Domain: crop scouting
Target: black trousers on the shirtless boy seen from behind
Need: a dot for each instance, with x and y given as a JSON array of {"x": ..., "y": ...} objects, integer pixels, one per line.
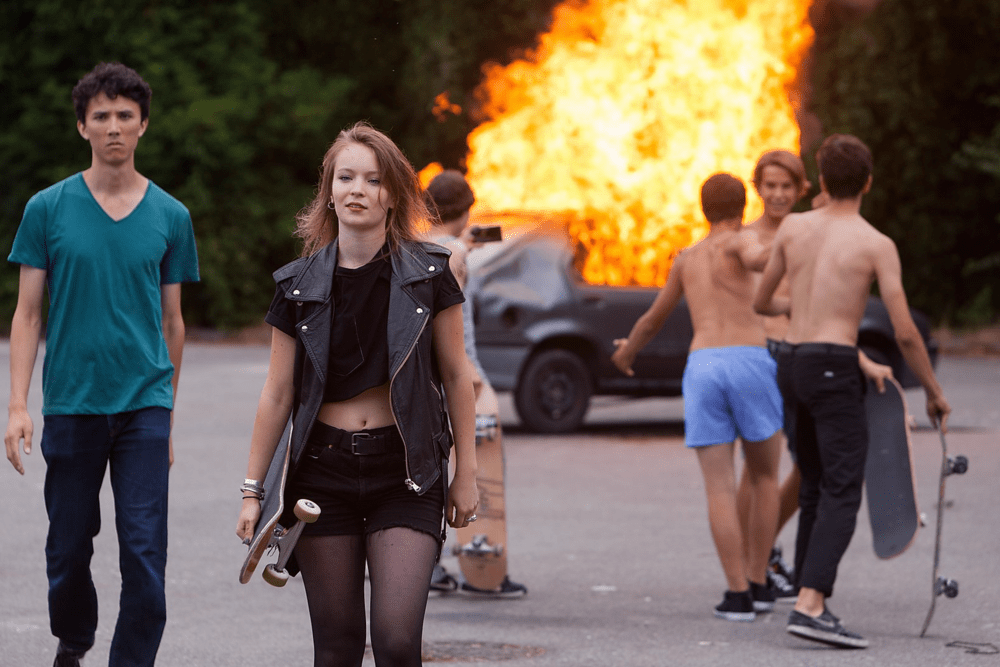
[{"x": 823, "y": 389}]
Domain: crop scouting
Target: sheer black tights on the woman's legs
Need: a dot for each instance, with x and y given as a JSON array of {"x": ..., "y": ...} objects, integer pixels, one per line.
[{"x": 400, "y": 561}]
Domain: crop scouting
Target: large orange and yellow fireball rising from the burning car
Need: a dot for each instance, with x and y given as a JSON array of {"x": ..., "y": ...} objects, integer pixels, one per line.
[{"x": 623, "y": 111}]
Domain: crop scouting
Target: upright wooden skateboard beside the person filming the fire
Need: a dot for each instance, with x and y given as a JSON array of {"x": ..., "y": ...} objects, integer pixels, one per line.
[{"x": 482, "y": 546}]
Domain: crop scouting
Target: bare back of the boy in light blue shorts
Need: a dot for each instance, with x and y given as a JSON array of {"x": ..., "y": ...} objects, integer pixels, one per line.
[{"x": 719, "y": 293}]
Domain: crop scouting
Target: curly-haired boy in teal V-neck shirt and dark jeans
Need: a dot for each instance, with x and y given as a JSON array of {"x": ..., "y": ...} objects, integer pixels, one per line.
[{"x": 113, "y": 249}]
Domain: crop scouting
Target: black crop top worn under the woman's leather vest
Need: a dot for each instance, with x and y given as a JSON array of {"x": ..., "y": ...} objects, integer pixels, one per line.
[{"x": 359, "y": 347}]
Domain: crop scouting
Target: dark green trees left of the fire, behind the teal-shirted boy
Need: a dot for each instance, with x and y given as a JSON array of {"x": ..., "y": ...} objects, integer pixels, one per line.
[{"x": 247, "y": 96}]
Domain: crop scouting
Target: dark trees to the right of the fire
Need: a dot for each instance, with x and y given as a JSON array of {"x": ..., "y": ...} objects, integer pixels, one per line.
[{"x": 918, "y": 82}]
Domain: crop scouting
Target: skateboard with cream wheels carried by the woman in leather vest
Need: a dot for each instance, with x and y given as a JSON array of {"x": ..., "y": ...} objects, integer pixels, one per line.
[{"x": 269, "y": 534}]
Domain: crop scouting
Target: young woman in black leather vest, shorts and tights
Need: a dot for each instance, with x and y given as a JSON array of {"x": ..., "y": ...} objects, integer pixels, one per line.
[{"x": 367, "y": 359}]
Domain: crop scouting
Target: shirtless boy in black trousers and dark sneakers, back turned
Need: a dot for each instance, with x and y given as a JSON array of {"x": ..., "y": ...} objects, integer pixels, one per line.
[{"x": 831, "y": 256}]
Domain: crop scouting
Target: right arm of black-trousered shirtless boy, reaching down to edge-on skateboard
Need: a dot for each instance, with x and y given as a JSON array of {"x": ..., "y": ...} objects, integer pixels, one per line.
[{"x": 888, "y": 272}]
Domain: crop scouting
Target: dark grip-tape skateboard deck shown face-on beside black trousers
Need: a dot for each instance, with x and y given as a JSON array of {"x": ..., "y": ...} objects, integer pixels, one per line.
[{"x": 889, "y": 480}]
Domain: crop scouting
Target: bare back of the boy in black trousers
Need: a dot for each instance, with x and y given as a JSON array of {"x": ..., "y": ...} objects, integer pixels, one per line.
[{"x": 830, "y": 262}]
